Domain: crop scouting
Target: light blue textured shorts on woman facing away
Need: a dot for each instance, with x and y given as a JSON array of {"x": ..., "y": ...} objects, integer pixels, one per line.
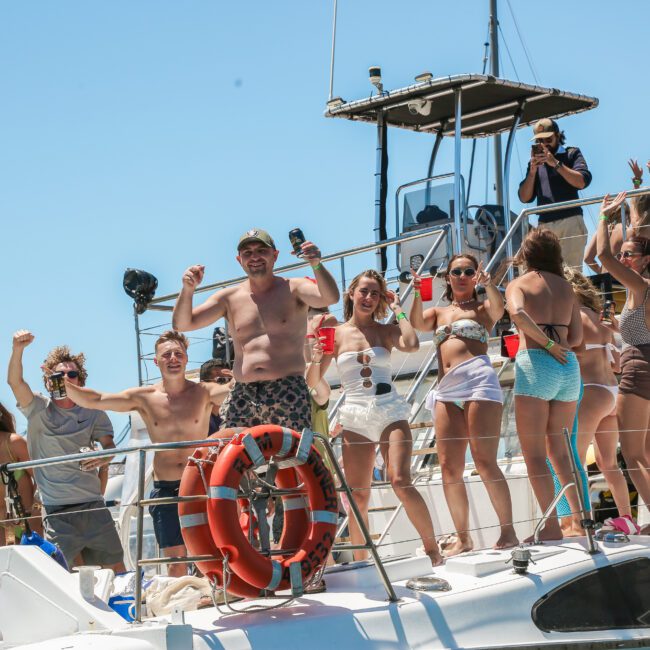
[{"x": 538, "y": 374}]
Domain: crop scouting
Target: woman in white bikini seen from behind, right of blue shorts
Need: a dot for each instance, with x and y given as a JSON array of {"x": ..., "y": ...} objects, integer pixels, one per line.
[{"x": 597, "y": 413}]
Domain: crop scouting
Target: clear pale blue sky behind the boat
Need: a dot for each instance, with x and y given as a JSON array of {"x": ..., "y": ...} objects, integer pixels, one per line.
[{"x": 151, "y": 134}]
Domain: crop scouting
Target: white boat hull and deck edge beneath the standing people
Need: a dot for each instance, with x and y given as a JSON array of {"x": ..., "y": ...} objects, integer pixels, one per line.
[{"x": 488, "y": 606}]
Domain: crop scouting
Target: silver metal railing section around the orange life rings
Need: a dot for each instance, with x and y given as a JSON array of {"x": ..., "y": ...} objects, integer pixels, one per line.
[{"x": 143, "y": 502}]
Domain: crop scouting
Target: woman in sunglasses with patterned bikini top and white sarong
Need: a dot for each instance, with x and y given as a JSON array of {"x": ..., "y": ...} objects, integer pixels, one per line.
[{"x": 467, "y": 402}]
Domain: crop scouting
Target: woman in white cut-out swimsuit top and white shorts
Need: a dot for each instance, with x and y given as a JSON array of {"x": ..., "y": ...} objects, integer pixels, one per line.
[{"x": 373, "y": 412}]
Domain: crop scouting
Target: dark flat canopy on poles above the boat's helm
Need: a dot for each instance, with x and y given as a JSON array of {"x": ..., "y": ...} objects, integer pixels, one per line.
[{"x": 489, "y": 105}]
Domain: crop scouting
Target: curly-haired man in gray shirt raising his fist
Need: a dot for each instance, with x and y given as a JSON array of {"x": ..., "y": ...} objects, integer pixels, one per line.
[{"x": 77, "y": 519}]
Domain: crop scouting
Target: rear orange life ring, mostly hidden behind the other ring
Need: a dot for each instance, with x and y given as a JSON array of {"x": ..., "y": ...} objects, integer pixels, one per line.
[{"x": 194, "y": 522}]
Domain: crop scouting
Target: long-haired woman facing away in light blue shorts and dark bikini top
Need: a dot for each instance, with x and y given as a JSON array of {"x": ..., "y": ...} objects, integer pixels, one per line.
[{"x": 547, "y": 375}]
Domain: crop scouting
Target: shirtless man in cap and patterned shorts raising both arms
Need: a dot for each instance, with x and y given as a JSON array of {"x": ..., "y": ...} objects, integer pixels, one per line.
[{"x": 267, "y": 318}]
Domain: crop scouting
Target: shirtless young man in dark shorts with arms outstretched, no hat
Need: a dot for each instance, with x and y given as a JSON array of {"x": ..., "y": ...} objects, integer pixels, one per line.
[{"x": 175, "y": 409}]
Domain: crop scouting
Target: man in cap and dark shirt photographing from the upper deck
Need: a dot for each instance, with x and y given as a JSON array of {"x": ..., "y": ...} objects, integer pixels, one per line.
[{"x": 555, "y": 174}]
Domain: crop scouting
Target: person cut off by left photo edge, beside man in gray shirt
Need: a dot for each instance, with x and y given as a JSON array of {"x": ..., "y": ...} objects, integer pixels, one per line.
[{"x": 13, "y": 449}]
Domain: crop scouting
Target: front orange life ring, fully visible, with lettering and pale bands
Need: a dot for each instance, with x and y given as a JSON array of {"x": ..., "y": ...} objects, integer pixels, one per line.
[{"x": 251, "y": 449}]
